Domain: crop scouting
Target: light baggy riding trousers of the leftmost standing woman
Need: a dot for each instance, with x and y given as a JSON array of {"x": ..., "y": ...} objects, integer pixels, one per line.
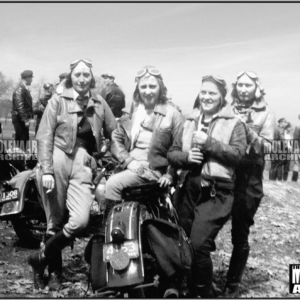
[{"x": 72, "y": 192}]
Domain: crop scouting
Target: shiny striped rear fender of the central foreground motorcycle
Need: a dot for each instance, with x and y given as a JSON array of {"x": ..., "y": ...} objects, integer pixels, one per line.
[{"x": 130, "y": 215}]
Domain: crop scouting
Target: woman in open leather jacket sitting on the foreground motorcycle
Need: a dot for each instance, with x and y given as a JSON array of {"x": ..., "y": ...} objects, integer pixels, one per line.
[{"x": 141, "y": 141}]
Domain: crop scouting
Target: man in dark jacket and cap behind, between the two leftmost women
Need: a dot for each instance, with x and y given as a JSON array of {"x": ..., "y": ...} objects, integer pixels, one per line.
[{"x": 113, "y": 95}]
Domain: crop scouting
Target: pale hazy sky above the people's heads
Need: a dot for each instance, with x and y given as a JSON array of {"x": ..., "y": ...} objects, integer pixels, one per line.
[{"x": 185, "y": 41}]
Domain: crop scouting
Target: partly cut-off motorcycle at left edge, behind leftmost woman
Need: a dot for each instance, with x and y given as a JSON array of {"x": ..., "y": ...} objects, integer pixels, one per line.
[{"x": 18, "y": 188}]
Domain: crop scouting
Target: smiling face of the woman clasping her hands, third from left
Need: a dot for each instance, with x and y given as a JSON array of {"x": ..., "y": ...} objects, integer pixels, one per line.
[{"x": 210, "y": 98}]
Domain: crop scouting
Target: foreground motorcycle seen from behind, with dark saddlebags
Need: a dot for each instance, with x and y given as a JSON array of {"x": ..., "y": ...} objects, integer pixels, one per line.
[{"x": 126, "y": 265}]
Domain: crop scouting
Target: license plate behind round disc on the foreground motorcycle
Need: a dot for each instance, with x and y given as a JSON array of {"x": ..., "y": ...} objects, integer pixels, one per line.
[{"x": 131, "y": 248}]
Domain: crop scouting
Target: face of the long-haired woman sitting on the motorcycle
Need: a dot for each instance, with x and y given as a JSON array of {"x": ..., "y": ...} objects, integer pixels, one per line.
[{"x": 149, "y": 90}]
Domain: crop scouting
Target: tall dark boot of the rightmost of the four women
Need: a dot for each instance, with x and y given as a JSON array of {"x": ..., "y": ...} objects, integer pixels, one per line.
[{"x": 237, "y": 266}]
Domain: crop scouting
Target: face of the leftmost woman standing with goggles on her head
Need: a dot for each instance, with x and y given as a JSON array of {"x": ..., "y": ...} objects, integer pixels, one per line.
[{"x": 81, "y": 78}]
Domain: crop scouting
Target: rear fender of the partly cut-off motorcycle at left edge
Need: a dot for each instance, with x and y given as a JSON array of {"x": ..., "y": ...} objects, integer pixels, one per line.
[{"x": 16, "y": 206}]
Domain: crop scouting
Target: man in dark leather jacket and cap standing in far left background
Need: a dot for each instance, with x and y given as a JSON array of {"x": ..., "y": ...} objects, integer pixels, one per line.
[{"x": 22, "y": 110}]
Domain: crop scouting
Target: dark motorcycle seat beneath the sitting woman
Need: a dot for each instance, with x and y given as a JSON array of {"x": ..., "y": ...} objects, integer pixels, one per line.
[{"x": 143, "y": 190}]
